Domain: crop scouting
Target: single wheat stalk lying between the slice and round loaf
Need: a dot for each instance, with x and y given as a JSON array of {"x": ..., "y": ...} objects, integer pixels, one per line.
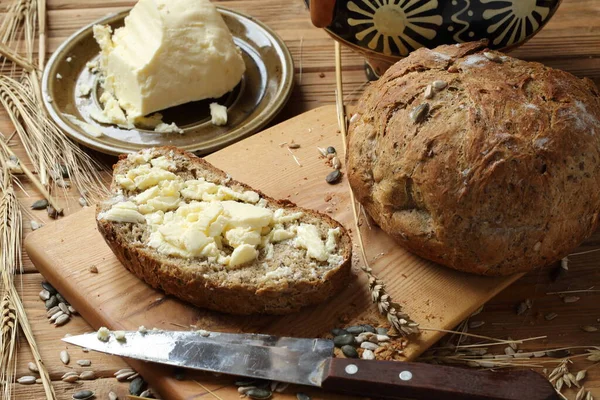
[{"x": 398, "y": 319}]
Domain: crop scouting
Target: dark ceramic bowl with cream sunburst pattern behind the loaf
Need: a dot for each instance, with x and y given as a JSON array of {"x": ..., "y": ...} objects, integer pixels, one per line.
[{"x": 387, "y": 30}]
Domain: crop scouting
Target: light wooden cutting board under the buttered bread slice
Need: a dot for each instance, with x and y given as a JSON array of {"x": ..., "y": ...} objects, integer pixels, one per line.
[{"x": 436, "y": 297}]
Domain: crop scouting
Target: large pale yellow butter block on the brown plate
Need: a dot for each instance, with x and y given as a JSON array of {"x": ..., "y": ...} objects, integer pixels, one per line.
[{"x": 168, "y": 53}]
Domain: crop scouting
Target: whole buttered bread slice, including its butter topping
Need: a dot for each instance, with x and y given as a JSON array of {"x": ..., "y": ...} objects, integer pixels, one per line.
[{"x": 187, "y": 228}]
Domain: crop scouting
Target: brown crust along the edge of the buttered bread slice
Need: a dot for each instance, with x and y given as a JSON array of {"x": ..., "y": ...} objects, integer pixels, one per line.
[{"x": 167, "y": 274}]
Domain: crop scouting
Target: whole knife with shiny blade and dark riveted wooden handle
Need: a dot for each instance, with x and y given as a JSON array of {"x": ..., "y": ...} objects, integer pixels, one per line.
[{"x": 311, "y": 362}]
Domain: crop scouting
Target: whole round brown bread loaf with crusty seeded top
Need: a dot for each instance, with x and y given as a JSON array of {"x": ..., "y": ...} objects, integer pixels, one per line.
[{"x": 478, "y": 161}]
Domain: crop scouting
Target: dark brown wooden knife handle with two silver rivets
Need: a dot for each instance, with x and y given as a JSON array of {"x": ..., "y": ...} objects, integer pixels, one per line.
[{"x": 395, "y": 380}]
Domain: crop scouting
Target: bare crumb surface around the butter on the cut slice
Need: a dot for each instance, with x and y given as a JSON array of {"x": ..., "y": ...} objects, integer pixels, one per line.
[{"x": 287, "y": 261}]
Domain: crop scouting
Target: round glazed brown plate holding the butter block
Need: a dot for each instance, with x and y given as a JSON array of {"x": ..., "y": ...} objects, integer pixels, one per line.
[{"x": 263, "y": 91}]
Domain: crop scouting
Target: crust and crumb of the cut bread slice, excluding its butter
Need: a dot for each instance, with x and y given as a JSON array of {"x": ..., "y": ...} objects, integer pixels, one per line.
[{"x": 278, "y": 283}]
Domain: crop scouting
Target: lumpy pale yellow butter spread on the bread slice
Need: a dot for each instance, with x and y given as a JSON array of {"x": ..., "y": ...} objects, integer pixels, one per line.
[{"x": 195, "y": 218}]
